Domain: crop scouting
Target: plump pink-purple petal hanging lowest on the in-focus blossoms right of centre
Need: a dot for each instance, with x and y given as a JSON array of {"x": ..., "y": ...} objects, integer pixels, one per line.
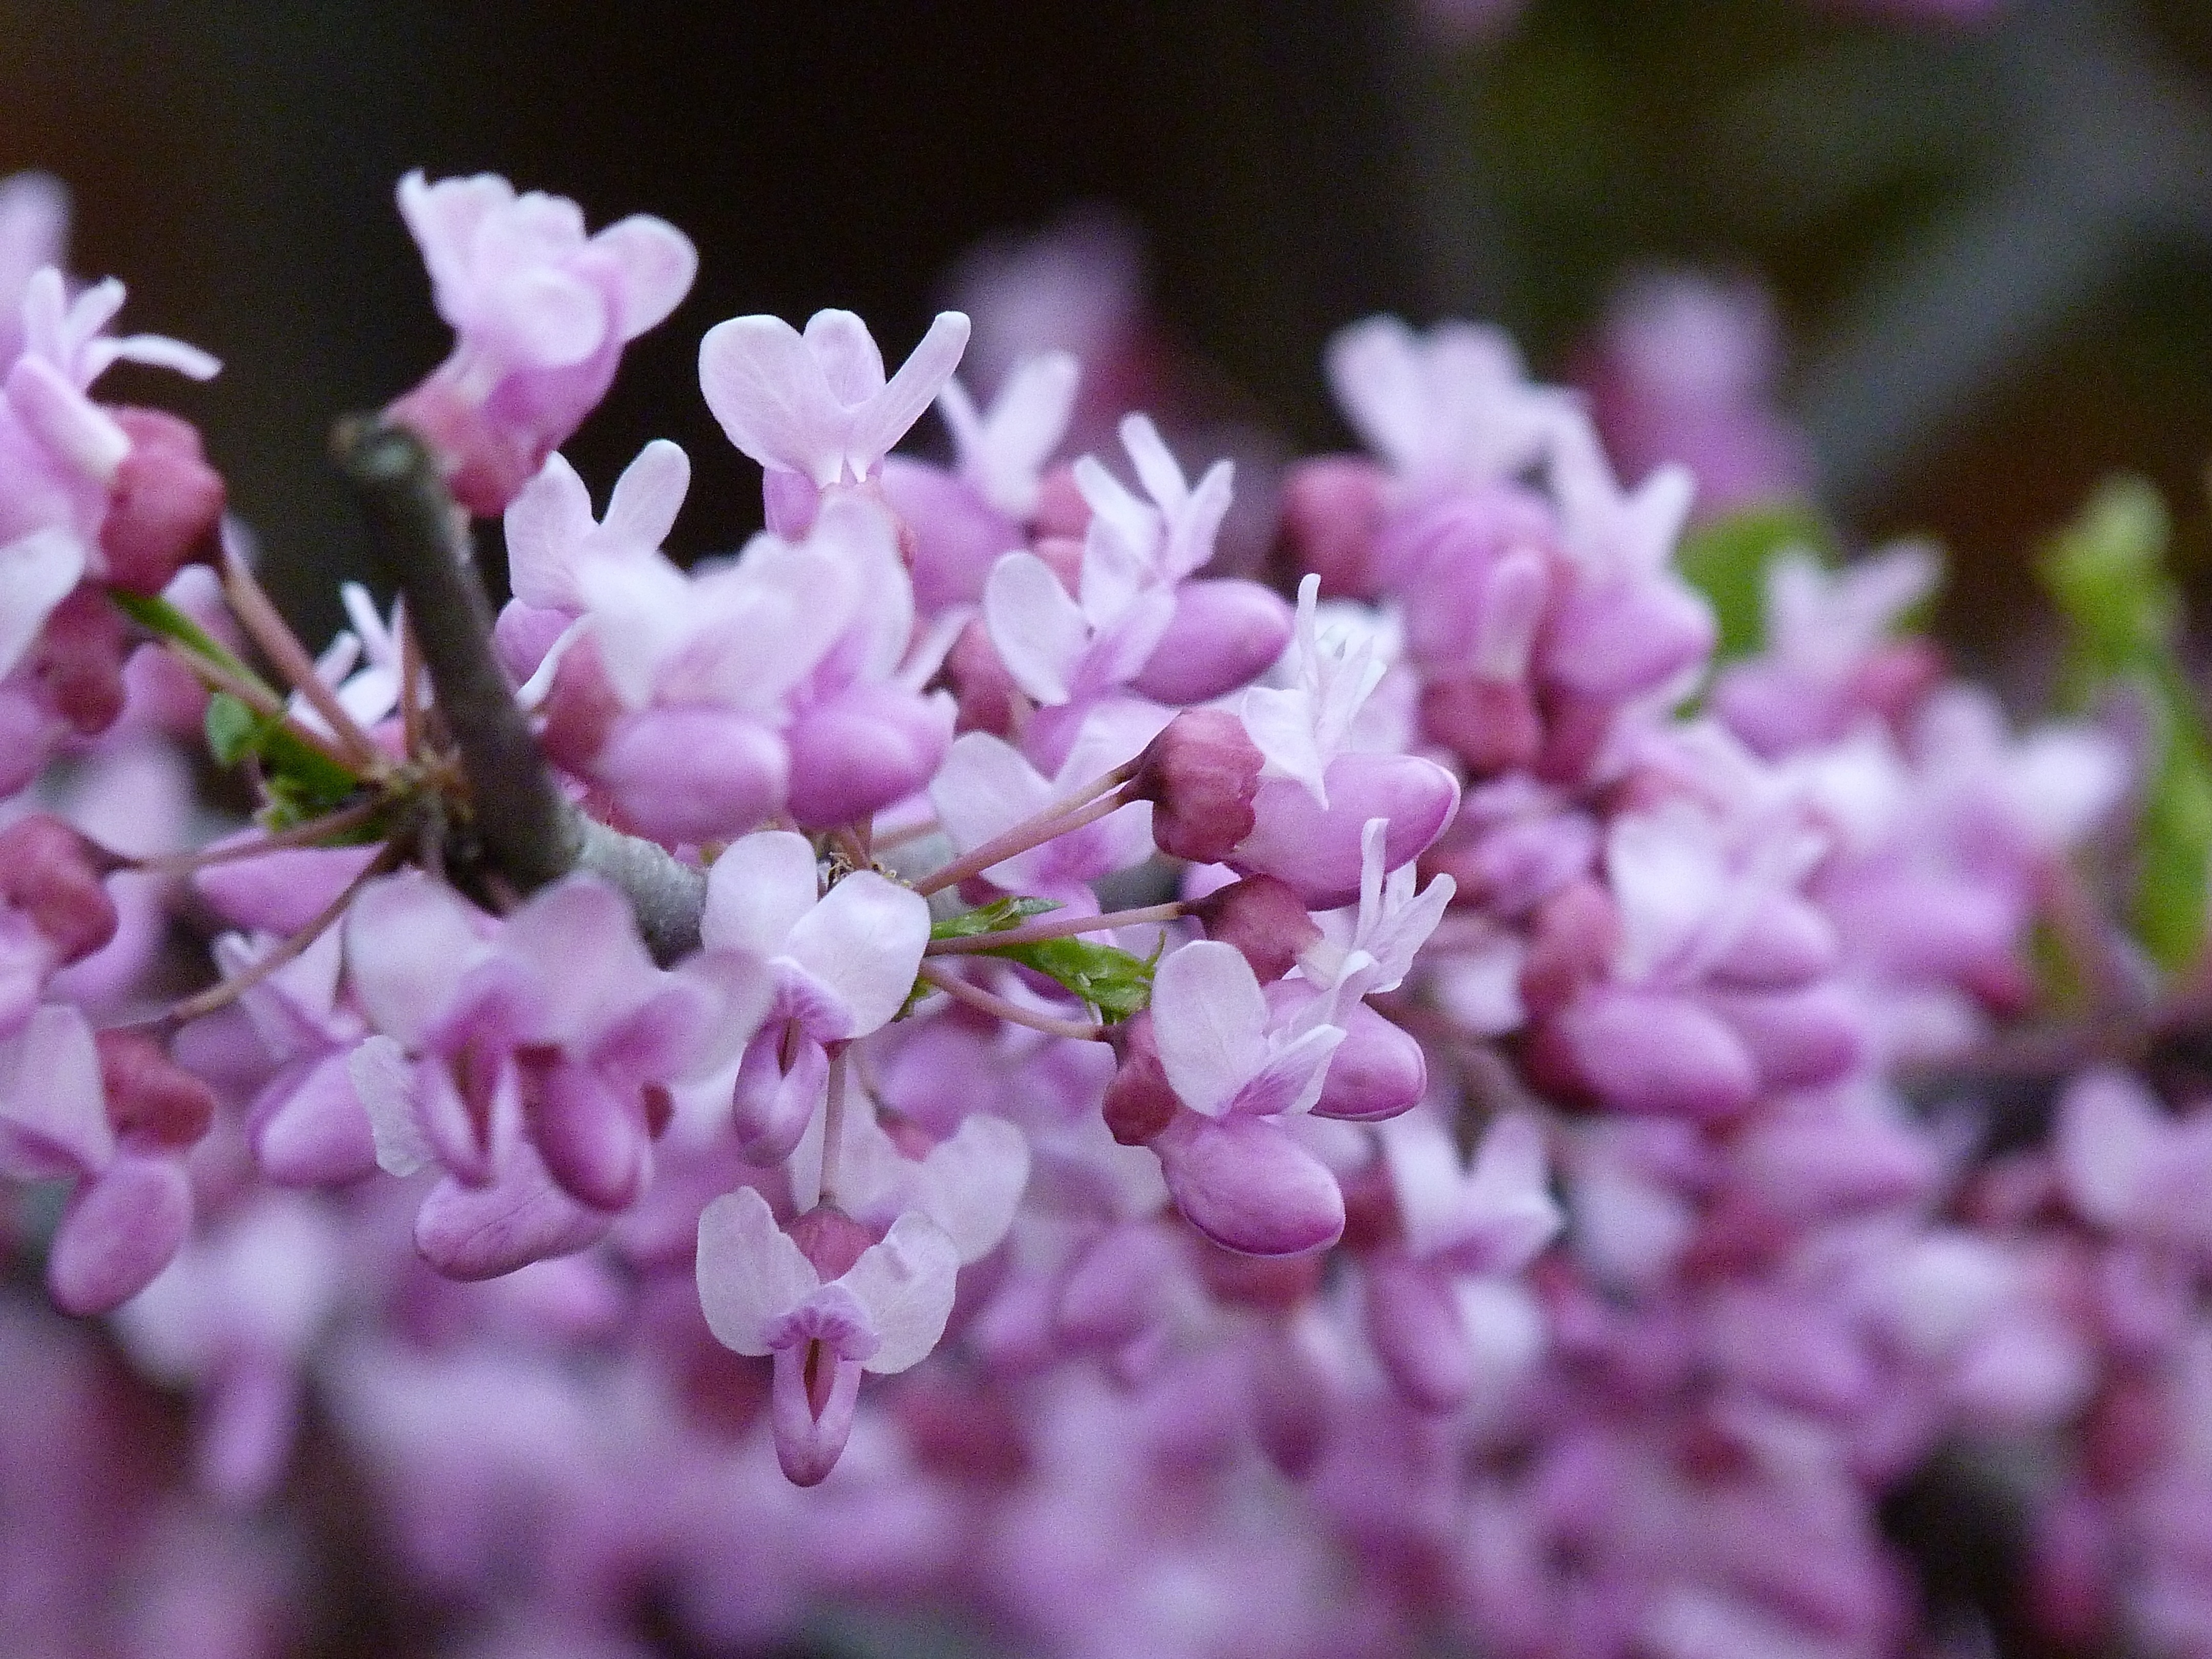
[{"x": 1246, "y": 1185}]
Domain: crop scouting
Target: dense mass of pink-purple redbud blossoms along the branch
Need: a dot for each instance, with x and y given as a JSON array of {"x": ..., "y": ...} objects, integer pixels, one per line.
[{"x": 1353, "y": 1123}]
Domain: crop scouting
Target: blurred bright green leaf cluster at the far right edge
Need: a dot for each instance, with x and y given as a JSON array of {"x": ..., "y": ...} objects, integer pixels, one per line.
[{"x": 2109, "y": 576}]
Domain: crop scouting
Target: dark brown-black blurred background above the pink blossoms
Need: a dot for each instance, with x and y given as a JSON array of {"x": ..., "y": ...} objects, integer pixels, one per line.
[{"x": 1992, "y": 244}]
